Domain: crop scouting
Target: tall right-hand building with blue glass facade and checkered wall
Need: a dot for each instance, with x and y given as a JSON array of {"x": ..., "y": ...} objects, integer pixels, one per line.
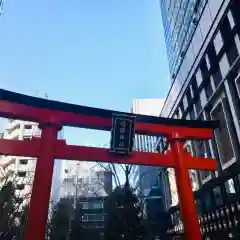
[{"x": 203, "y": 46}]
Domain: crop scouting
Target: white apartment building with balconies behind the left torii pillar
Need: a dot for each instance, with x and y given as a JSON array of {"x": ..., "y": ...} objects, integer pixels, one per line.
[{"x": 21, "y": 169}]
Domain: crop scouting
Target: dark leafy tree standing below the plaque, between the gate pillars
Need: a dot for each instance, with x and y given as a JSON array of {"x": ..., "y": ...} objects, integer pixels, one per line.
[{"x": 123, "y": 215}]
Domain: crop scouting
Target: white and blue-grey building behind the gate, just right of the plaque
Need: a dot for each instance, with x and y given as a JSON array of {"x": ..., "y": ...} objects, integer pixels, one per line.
[{"x": 144, "y": 177}]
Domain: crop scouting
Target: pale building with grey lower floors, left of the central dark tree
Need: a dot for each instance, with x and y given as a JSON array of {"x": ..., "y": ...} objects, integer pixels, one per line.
[{"x": 89, "y": 187}]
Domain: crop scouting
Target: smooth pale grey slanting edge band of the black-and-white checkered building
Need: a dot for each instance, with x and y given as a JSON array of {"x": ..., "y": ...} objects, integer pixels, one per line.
[{"x": 202, "y": 35}]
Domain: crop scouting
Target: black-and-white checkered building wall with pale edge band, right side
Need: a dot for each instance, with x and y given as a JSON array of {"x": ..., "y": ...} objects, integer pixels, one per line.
[{"x": 206, "y": 86}]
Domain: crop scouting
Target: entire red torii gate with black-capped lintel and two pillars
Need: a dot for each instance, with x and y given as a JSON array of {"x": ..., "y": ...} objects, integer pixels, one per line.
[{"x": 53, "y": 115}]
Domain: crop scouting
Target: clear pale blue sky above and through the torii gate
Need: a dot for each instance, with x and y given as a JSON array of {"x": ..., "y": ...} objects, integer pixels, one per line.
[{"x": 89, "y": 52}]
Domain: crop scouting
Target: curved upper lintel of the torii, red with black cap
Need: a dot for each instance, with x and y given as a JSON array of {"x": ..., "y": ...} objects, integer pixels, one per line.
[{"x": 19, "y": 106}]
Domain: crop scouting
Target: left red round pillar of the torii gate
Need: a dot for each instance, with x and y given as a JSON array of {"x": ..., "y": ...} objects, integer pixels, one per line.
[{"x": 38, "y": 211}]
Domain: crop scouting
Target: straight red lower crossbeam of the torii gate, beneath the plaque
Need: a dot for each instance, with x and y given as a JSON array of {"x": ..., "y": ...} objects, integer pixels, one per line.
[{"x": 31, "y": 148}]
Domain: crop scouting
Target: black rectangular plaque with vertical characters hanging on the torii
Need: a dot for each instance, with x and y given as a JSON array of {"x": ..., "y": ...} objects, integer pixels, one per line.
[{"x": 122, "y": 134}]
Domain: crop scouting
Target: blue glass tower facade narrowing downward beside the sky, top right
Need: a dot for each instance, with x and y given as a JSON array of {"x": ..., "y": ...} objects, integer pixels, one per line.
[{"x": 180, "y": 18}]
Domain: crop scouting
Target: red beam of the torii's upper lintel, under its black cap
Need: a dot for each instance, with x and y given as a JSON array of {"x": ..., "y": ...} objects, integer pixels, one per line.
[{"x": 19, "y": 111}]
